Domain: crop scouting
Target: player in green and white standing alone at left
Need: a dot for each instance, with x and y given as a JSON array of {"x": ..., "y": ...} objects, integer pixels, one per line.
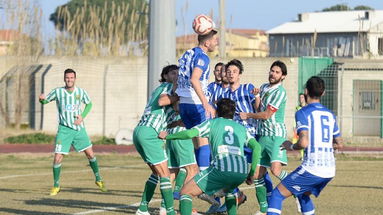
[{"x": 71, "y": 129}]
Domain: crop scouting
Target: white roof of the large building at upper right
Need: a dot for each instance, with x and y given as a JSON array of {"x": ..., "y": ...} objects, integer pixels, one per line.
[{"x": 330, "y": 22}]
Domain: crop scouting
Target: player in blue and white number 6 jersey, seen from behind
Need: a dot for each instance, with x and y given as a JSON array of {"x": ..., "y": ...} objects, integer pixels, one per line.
[{"x": 319, "y": 135}]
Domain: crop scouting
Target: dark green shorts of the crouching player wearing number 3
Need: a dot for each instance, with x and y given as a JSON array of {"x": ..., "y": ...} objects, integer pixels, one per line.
[{"x": 212, "y": 180}]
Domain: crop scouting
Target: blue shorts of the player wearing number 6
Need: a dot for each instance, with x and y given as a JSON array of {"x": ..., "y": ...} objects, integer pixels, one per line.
[{"x": 300, "y": 181}]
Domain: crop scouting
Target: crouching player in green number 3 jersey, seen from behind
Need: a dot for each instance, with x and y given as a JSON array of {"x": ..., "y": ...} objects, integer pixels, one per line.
[{"x": 227, "y": 139}]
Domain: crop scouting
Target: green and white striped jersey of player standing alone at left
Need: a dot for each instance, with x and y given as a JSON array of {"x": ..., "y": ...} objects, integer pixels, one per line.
[{"x": 69, "y": 105}]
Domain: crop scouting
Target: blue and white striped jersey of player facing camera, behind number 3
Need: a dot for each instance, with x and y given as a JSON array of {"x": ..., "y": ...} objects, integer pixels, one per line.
[{"x": 244, "y": 100}]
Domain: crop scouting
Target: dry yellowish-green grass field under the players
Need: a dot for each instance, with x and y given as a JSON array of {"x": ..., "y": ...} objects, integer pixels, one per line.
[{"x": 25, "y": 181}]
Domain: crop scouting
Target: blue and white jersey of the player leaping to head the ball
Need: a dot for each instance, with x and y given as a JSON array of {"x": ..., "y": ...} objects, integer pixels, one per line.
[{"x": 191, "y": 59}]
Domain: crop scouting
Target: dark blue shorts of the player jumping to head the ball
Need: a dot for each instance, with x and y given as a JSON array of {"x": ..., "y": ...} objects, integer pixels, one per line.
[{"x": 192, "y": 114}]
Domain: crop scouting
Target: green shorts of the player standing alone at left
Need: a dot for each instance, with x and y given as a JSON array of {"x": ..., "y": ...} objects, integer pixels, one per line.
[{"x": 67, "y": 137}]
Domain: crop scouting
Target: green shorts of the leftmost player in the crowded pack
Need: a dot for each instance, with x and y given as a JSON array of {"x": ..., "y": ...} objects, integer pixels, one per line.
[{"x": 148, "y": 145}]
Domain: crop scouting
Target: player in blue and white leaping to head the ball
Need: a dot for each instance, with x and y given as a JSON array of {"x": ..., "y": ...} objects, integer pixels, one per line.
[{"x": 193, "y": 77}]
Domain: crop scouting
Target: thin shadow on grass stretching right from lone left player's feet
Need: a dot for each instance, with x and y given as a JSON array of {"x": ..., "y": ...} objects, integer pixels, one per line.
[{"x": 127, "y": 193}]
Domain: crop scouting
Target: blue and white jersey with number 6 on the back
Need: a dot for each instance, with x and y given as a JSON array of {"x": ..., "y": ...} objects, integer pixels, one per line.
[{"x": 322, "y": 128}]
